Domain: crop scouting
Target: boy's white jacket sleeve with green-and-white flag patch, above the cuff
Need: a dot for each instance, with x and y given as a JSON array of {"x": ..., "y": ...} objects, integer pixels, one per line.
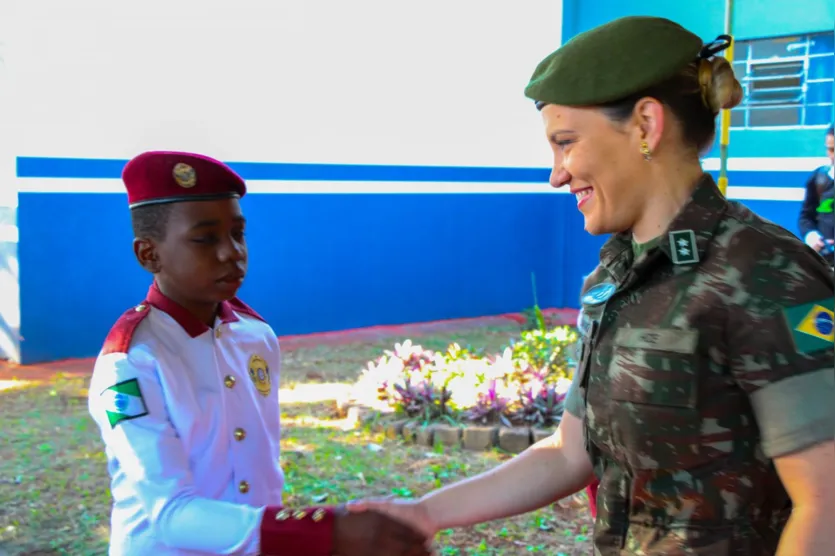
[{"x": 150, "y": 464}]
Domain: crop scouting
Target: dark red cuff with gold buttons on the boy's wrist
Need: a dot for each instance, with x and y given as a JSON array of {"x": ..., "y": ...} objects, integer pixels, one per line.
[{"x": 299, "y": 532}]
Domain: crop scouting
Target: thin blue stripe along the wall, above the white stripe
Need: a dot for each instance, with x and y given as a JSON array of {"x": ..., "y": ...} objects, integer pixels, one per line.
[{"x": 92, "y": 168}]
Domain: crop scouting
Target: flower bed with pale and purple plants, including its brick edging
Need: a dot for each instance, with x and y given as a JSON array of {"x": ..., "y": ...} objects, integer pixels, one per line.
[{"x": 462, "y": 397}]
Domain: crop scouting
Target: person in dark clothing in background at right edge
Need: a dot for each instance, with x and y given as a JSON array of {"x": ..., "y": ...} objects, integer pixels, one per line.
[{"x": 817, "y": 221}]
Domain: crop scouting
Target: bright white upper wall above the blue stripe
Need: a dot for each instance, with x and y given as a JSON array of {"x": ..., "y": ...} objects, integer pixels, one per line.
[{"x": 360, "y": 81}]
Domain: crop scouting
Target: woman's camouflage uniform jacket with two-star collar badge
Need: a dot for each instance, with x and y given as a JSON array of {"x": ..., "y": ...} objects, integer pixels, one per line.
[{"x": 702, "y": 360}]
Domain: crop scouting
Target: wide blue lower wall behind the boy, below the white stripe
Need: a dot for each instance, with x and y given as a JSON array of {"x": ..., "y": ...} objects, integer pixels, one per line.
[{"x": 318, "y": 262}]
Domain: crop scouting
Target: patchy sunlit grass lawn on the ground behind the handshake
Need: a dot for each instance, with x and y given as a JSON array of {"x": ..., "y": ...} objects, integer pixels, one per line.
[{"x": 55, "y": 497}]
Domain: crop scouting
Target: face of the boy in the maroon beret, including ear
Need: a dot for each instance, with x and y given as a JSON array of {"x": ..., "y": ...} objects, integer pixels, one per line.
[{"x": 202, "y": 258}]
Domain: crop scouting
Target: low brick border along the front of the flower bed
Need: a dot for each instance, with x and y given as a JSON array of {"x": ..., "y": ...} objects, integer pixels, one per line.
[{"x": 476, "y": 438}]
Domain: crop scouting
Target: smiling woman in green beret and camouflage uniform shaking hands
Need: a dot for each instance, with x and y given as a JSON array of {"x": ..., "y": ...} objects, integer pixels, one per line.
[{"x": 703, "y": 398}]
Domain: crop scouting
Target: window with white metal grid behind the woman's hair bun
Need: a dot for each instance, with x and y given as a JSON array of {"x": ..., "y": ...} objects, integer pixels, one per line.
[{"x": 788, "y": 81}]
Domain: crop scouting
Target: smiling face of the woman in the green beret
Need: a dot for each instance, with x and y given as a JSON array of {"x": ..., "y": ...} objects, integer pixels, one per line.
[{"x": 600, "y": 162}]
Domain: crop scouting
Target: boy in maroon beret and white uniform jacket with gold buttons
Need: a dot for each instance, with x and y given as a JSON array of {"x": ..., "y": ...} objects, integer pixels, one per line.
[{"x": 184, "y": 390}]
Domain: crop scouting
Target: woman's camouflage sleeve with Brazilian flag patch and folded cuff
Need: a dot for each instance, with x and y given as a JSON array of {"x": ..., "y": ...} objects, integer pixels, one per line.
[{"x": 781, "y": 342}]
